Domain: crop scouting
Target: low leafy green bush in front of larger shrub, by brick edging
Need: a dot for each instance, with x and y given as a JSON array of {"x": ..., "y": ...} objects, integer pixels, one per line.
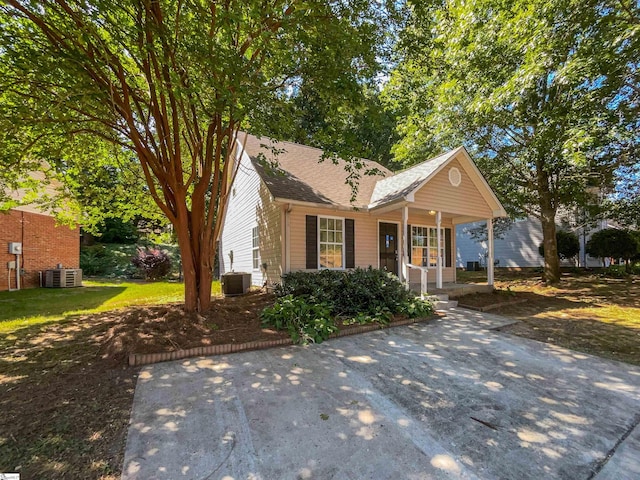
[{"x": 306, "y": 322}]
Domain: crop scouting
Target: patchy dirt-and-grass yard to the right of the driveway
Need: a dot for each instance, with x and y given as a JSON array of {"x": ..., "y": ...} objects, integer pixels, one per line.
[{"x": 589, "y": 313}]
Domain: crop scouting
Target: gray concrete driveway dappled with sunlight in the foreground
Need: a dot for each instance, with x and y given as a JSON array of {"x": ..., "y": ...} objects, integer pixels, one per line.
[{"x": 450, "y": 399}]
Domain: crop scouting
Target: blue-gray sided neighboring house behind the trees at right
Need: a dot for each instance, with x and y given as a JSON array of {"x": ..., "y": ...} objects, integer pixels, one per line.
[{"x": 518, "y": 247}]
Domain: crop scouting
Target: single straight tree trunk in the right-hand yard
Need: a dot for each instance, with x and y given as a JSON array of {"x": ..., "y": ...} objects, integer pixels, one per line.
[{"x": 548, "y": 221}]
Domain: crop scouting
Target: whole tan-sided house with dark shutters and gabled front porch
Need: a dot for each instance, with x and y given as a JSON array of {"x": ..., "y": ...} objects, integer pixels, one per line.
[{"x": 299, "y": 215}]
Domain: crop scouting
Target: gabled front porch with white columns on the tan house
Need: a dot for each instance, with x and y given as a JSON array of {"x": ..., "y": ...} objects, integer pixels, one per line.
[{"x": 431, "y": 199}]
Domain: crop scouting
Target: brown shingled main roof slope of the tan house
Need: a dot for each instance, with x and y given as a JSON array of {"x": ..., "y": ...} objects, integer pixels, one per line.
[{"x": 300, "y": 176}]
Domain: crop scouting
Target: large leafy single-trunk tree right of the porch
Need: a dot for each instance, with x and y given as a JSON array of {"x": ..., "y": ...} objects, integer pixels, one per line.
[{"x": 545, "y": 93}]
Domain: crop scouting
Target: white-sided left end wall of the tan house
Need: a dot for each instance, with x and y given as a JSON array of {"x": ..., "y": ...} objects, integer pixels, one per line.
[{"x": 249, "y": 206}]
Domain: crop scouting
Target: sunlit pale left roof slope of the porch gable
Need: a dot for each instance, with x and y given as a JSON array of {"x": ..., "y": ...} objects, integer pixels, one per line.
[{"x": 402, "y": 184}]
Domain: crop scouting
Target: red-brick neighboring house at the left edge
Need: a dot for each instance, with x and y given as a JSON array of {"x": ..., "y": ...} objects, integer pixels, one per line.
[{"x": 42, "y": 242}]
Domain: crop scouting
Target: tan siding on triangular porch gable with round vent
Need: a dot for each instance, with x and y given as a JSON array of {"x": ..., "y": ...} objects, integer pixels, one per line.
[{"x": 465, "y": 199}]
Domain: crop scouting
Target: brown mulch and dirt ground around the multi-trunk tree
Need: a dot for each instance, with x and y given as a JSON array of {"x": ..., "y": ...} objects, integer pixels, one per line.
[{"x": 67, "y": 390}]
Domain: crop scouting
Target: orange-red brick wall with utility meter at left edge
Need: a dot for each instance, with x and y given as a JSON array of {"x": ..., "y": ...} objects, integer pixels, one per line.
[{"x": 44, "y": 245}]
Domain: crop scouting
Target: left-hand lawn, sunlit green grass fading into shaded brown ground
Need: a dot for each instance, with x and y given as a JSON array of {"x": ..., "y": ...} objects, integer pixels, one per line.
[{"x": 66, "y": 398}]
